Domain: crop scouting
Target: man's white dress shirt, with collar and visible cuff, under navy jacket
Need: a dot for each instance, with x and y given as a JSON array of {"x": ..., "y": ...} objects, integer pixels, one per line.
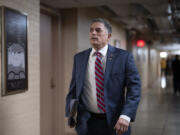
[{"x": 89, "y": 90}]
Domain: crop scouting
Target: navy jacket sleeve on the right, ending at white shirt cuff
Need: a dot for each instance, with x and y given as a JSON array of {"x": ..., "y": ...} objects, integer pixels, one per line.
[{"x": 133, "y": 89}]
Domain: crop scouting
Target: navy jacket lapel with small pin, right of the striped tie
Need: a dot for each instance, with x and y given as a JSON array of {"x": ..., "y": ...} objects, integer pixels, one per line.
[{"x": 109, "y": 63}]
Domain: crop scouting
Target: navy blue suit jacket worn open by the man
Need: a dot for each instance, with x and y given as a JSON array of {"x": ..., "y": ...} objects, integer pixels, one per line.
[{"x": 120, "y": 72}]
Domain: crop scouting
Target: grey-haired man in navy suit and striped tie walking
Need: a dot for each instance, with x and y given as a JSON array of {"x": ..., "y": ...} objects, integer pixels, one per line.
[{"x": 100, "y": 76}]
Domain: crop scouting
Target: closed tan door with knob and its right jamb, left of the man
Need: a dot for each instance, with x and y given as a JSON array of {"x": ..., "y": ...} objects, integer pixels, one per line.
[{"x": 51, "y": 112}]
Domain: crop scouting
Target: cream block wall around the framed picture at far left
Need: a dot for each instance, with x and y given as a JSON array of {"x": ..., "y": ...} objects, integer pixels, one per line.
[{"x": 19, "y": 114}]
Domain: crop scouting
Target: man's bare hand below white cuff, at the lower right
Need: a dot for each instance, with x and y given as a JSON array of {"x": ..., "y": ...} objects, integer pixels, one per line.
[{"x": 121, "y": 126}]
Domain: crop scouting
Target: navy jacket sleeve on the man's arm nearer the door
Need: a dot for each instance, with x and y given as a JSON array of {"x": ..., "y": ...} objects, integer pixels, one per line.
[{"x": 72, "y": 90}]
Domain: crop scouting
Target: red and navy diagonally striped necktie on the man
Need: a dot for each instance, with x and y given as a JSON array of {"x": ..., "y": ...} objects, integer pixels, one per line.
[{"x": 99, "y": 77}]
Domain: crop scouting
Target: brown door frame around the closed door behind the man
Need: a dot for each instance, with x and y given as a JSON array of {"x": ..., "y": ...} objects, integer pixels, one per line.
[{"x": 58, "y": 74}]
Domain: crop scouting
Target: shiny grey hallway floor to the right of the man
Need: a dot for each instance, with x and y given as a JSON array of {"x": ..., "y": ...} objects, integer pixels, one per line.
[{"x": 159, "y": 110}]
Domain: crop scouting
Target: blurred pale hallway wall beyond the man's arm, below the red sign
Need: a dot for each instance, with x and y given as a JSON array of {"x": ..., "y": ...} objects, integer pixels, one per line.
[{"x": 147, "y": 60}]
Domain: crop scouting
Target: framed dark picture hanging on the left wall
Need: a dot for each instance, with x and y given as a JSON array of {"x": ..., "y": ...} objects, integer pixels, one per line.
[{"x": 14, "y": 68}]
